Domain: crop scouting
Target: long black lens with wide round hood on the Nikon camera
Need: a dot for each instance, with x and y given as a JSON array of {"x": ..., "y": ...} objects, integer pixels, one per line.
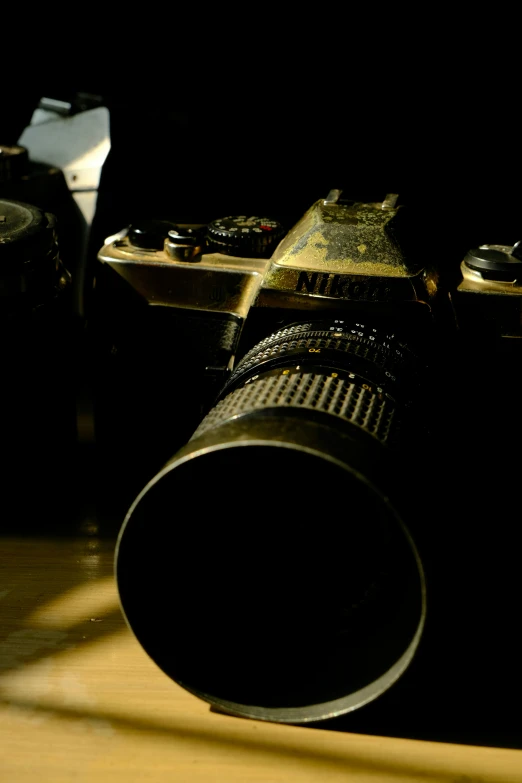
[{"x": 289, "y": 588}]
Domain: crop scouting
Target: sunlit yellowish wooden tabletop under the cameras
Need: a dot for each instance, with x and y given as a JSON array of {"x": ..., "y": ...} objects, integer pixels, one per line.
[{"x": 81, "y": 701}]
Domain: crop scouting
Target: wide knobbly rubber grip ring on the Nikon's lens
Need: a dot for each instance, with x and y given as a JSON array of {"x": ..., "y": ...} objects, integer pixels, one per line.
[{"x": 344, "y": 398}]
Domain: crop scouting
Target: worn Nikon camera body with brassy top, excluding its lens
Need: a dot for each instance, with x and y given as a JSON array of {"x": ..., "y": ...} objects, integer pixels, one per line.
[{"x": 178, "y": 306}]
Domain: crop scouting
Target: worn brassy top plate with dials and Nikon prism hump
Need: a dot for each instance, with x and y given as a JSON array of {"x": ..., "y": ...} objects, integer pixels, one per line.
[{"x": 340, "y": 255}]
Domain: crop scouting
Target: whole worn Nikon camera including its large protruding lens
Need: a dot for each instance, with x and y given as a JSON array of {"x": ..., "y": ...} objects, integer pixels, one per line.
[{"x": 272, "y": 566}]
